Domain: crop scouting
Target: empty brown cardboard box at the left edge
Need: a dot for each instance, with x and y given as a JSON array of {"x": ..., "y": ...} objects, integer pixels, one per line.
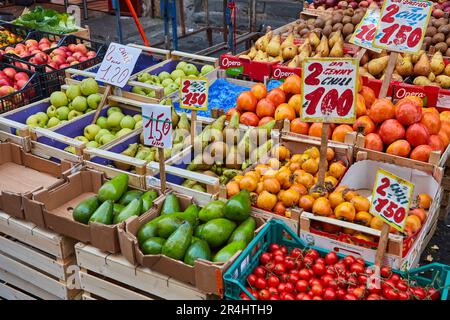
[{"x": 21, "y": 174}]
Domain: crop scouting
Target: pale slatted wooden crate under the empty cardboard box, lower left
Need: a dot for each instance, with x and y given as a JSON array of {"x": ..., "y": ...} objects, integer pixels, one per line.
[{"x": 35, "y": 263}]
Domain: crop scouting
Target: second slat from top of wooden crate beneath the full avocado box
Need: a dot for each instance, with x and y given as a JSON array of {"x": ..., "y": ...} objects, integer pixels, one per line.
[{"x": 107, "y": 290}]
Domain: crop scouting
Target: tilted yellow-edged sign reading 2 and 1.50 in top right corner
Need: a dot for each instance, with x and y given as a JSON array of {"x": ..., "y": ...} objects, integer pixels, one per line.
[{"x": 402, "y": 25}]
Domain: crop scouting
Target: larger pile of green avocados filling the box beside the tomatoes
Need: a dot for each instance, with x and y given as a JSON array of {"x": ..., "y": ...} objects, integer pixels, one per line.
[{"x": 215, "y": 232}]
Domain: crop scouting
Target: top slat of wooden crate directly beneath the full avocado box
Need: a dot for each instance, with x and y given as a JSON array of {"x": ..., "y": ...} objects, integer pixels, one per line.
[{"x": 118, "y": 268}]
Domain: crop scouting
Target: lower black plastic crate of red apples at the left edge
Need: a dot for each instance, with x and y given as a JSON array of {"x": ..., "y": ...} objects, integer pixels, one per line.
[{"x": 31, "y": 92}]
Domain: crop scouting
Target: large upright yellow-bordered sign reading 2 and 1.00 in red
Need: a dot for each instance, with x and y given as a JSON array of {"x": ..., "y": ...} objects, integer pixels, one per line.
[{"x": 329, "y": 90}]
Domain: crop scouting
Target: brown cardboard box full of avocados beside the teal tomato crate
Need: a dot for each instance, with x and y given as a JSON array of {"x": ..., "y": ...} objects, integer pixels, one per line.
[{"x": 205, "y": 275}]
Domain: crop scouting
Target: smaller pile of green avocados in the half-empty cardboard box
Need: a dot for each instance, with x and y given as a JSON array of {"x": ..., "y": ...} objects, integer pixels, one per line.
[{"x": 114, "y": 203}]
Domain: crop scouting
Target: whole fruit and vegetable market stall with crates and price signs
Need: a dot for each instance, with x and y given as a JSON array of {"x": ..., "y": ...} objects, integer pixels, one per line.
[{"x": 311, "y": 165}]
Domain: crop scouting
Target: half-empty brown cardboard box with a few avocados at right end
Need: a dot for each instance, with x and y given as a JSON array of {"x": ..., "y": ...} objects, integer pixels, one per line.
[{"x": 57, "y": 203}]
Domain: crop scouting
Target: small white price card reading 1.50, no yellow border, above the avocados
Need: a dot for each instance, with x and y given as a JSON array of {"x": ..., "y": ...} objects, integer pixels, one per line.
[{"x": 157, "y": 125}]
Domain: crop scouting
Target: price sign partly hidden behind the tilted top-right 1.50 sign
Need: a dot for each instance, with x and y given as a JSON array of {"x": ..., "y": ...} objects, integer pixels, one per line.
[{"x": 365, "y": 30}]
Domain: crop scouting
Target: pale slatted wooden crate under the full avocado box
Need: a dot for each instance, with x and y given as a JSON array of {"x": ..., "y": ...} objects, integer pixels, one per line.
[{"x": 108, "y": 276}]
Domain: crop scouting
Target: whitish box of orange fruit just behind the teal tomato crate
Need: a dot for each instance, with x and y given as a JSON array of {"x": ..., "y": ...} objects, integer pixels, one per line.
[{"x": 361, "y": 177}]
